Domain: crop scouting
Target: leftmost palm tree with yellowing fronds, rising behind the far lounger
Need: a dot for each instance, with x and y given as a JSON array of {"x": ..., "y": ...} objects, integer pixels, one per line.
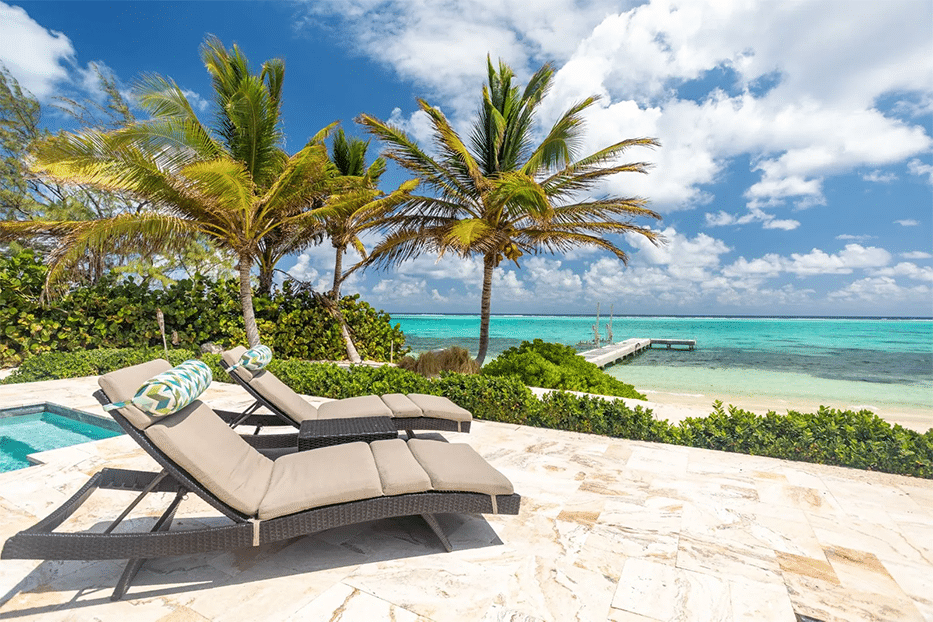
[{"x": 232, "y": 184}]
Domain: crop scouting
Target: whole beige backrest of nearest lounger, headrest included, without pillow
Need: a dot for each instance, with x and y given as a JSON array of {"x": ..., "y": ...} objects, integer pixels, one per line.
[{"x": 197, "y": 440}]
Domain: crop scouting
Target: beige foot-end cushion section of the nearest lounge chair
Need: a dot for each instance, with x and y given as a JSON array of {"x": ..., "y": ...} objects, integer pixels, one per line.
[{"x": 455, "y": 466}]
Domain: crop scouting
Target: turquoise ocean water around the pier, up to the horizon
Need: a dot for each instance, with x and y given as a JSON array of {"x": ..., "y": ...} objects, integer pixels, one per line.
[{"x": 832, "y": 361}]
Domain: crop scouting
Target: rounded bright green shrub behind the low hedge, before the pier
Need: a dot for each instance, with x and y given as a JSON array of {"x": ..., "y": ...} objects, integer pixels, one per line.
[{"x": 556, "y": 366}]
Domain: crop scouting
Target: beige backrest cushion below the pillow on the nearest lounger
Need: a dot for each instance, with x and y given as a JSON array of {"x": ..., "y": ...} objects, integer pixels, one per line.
[{"x": 201, "y": 443}]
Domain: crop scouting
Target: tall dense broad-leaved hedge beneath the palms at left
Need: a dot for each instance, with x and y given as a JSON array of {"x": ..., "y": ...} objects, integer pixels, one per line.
[{"x": 123, "y": 314}]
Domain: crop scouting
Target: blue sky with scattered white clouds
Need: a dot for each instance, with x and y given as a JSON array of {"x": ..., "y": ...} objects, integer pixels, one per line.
[{"x": 795, "y": 175}]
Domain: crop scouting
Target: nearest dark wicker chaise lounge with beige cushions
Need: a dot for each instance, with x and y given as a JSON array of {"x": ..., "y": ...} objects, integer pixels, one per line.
[{"x": 266, "y": 500}]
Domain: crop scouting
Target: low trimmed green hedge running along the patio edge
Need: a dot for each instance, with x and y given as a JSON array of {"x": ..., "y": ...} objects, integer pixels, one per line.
[{"x": 843, "y": 438}]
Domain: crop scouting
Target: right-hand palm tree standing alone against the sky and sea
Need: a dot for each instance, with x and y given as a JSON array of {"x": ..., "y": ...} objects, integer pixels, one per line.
[{"x": 502, "y": 197}]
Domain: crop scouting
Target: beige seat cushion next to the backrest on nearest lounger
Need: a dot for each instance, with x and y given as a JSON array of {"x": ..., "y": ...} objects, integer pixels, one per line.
[{"x": 320, "y": 477}]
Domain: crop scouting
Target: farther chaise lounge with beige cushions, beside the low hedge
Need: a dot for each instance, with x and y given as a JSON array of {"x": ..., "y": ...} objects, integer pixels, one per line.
[{"x": 415, "y": 411}]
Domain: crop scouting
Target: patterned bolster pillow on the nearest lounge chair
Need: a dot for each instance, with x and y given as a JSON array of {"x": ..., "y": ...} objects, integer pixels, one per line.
[{"x": 171, "y": 390}]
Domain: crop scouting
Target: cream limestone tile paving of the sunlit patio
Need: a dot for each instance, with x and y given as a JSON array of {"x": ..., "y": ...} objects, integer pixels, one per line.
[{"x": 609, "y": 530}]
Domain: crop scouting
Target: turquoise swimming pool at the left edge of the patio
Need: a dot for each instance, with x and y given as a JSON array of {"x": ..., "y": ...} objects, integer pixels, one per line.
[{"x": 30, "y": 429}]
